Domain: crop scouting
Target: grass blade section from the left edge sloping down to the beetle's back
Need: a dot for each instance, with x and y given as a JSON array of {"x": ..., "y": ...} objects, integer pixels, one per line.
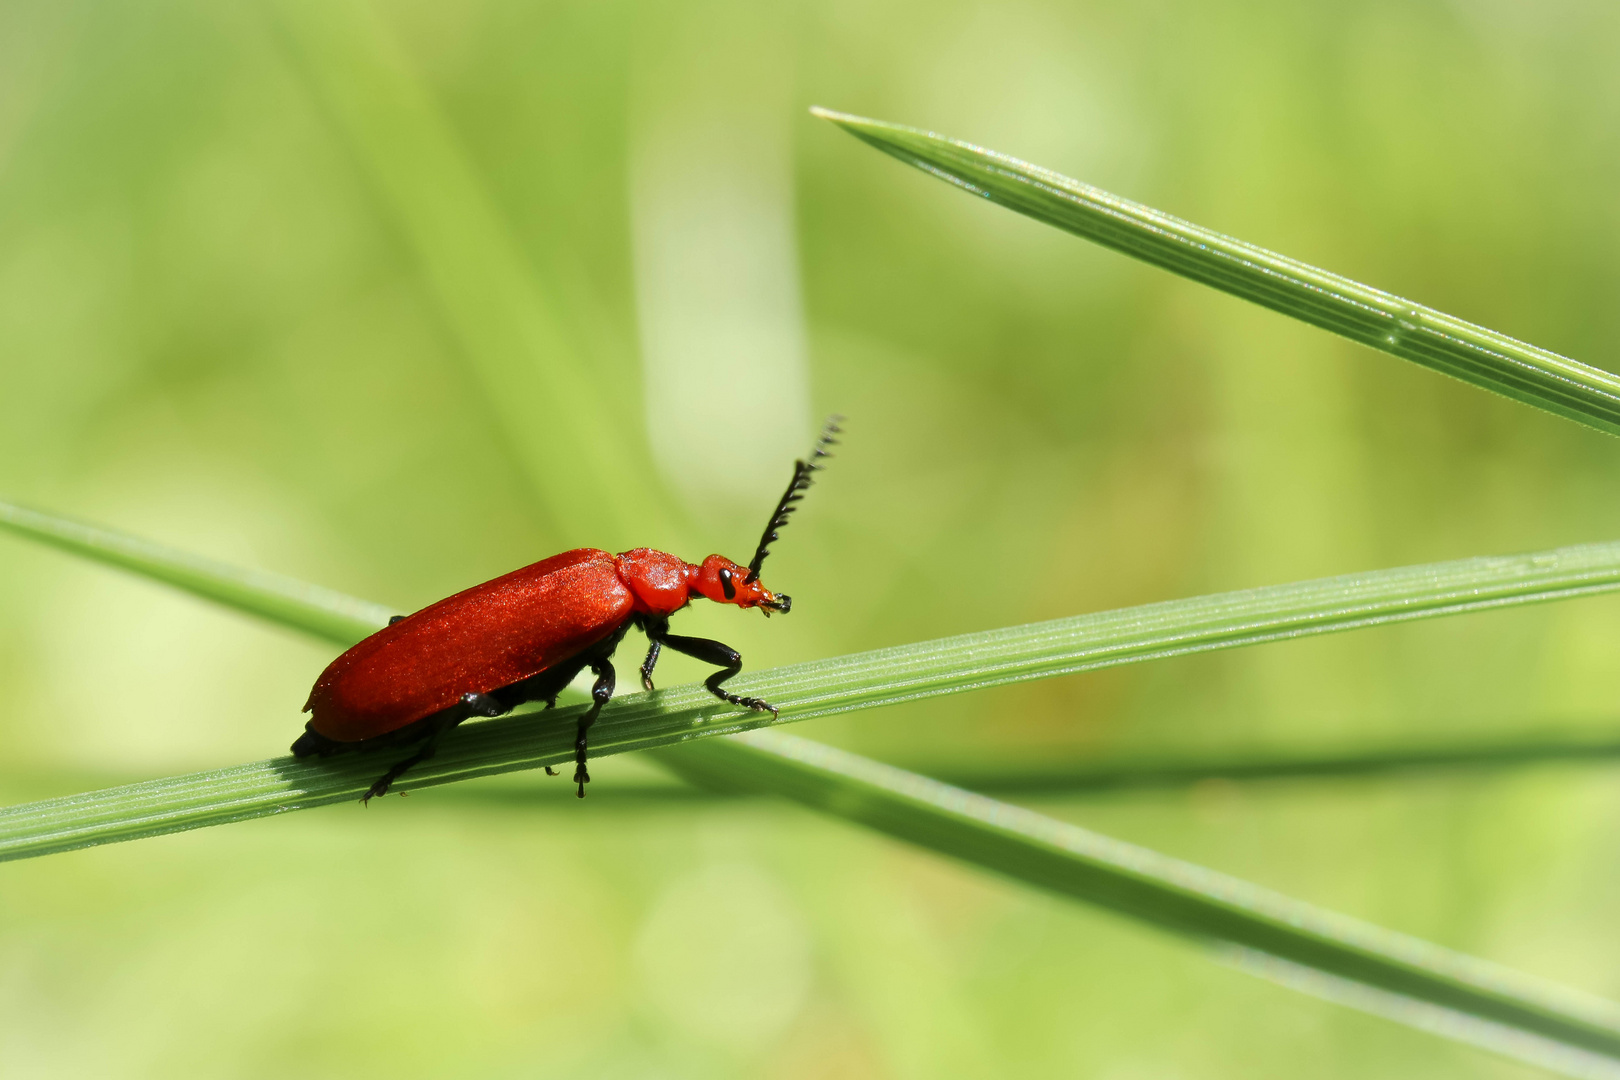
[{"x": 309, "y": 608}]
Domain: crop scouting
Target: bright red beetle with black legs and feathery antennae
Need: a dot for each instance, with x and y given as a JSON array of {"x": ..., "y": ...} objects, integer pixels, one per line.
[{"x": 524, "y": 637}]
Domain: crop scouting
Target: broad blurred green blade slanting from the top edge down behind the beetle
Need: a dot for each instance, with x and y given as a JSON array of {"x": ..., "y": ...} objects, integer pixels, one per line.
[{"x": 511, "y": 331}]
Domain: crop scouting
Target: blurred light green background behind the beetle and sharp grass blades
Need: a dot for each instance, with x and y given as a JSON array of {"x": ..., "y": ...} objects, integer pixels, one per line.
[{"x": 232, "y": 321}]
